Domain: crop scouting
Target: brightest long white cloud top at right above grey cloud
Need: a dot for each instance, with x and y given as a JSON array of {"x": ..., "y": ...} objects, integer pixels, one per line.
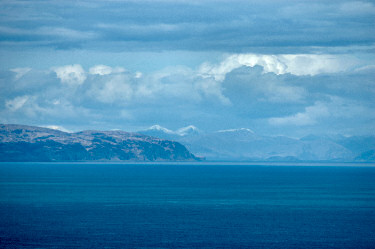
[{"x": 299, "y": 64}]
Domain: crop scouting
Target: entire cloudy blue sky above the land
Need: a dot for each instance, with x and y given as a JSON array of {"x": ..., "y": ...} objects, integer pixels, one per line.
[{"x": 289, "y": 68}]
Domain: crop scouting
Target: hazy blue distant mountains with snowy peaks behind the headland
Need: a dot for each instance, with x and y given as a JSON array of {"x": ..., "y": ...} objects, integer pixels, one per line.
[{"x": 243, "y": 144}]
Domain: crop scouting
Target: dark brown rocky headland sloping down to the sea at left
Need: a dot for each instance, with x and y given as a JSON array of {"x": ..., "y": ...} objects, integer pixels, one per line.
[{"x": 30, "y": 143}]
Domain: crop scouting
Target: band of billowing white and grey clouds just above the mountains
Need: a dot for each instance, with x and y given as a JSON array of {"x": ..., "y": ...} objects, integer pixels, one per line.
[{"x": 266, "y": 93}]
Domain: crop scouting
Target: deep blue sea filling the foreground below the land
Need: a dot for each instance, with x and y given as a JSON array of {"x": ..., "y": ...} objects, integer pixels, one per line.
[{"x": 72, "y": 205}]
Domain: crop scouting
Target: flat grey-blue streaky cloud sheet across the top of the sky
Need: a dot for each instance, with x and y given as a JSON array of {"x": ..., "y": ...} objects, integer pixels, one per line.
[{"x": 227, "y": 26}]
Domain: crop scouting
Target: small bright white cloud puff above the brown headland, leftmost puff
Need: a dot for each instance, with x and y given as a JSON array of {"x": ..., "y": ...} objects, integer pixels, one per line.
[{"x": 70, "y": 74}]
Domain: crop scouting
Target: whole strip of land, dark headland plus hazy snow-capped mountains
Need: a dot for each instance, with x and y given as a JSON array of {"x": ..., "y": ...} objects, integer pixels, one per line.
[{"x": 31, "y": 143}]
